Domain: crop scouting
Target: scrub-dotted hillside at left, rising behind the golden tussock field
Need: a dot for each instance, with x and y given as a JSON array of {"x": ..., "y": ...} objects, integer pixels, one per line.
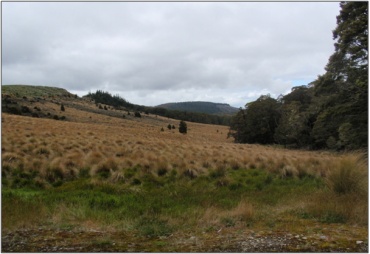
[{"x": 47, "y": 102}]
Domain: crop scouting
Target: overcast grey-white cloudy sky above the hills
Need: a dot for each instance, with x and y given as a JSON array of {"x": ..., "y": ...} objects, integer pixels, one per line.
[{"x": 156, "y": 52}]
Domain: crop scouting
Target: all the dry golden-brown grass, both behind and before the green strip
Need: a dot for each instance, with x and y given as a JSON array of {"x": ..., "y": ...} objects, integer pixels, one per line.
[{"x": 115, "y": 150}]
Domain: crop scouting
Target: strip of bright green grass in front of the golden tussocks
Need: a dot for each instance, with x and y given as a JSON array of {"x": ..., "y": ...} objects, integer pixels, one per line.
[{"x": 157, "y": 207}]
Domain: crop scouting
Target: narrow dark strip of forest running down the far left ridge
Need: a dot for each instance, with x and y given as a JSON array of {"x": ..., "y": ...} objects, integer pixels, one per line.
[{"x": 119, "y": 103}]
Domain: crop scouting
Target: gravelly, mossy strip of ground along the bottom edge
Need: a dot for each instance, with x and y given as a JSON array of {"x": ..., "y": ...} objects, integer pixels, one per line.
[{"x": 47, "y": 240}]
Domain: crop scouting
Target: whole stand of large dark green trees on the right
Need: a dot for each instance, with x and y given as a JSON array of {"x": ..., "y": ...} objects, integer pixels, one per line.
[{"x": 330, "y": 112}]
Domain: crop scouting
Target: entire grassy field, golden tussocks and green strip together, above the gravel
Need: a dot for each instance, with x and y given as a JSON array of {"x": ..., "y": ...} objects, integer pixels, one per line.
[{"x": 111, "y": 174}]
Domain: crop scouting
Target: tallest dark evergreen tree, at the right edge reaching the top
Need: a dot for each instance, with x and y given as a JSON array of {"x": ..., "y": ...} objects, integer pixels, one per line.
[{"x": 342, "y": 92}]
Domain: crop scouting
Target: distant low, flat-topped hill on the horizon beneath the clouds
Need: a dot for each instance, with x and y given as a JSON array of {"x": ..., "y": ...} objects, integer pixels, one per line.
[{"x": 201, "y": 107}]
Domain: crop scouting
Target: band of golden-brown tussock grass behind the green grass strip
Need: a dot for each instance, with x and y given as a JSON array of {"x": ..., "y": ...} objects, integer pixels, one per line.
[{"x": 42, "y": 144}]
